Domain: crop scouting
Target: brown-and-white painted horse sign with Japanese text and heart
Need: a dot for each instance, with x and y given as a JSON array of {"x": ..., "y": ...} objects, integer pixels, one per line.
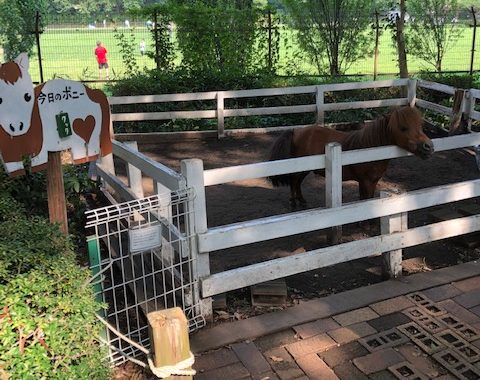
[{"x": 52, "y": 117}]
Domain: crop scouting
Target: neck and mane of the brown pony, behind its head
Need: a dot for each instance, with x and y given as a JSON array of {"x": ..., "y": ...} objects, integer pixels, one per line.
[{"x": 376, "y": 133}]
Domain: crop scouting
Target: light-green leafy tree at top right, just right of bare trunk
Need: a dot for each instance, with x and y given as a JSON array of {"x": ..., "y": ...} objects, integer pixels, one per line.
[{"x": 432, "y": 29}]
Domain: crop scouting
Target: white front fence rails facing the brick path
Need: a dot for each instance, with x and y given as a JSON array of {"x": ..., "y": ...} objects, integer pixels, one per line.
[{"x": 254, "y": 231}]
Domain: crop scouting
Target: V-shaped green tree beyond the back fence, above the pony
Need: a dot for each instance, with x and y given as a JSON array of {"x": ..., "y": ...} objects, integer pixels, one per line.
[{"x": 332, "y": 32}]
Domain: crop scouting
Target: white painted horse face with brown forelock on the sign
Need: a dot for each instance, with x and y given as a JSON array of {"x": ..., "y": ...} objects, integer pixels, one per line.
[{"x": 16, "y": 96}]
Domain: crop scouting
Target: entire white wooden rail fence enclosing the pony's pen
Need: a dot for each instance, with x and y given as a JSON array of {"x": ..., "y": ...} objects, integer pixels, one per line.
[{"x": 394, "y": 237}]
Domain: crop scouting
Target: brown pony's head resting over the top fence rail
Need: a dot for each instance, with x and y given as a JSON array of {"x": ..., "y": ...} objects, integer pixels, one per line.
[{"x": 405, "y": 124}]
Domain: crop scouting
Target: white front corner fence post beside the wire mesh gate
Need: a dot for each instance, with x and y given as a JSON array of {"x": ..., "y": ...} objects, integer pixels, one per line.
[{"x": 192, "y": 170}]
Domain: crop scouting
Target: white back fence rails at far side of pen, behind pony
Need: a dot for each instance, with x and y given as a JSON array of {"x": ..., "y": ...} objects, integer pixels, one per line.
[{"x": 220, "y": 112}]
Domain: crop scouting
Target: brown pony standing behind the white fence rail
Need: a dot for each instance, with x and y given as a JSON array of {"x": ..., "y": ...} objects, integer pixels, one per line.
[{"x": 402, "y": 127}]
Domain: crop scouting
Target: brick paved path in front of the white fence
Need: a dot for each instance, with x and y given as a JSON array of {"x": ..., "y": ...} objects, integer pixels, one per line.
[{"x": 425, "y": 326}]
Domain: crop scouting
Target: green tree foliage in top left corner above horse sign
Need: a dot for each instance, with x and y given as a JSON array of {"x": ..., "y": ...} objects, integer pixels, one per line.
[{"x": 17, "y": 24}]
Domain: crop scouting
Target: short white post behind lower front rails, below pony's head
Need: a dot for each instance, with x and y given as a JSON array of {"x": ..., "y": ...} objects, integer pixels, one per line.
[{"x": 393, "y": 223}]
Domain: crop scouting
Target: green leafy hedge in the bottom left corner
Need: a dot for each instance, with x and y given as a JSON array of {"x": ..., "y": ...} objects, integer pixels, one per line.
[{"x": 48, "y": 327}]
